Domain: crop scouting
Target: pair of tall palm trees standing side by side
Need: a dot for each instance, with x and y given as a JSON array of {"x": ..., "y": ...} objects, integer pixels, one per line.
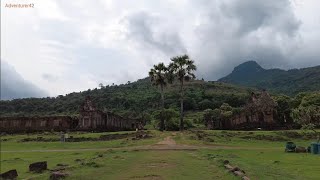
[{"x": 181, "y": 69}]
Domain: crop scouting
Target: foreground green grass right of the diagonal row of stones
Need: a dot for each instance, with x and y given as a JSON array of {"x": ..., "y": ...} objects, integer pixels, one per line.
[{"x": 269, "y": 164}]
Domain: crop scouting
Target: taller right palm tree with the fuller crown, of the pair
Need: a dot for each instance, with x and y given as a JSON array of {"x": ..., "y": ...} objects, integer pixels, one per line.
[{"x": 182, "y": 68}]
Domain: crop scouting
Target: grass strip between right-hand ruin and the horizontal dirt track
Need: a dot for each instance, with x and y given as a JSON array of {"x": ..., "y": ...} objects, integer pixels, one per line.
[{"x": 268, "y": 139}]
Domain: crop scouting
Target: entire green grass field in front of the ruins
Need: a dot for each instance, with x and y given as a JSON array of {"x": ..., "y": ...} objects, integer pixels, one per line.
[{"x": 188, "y": 155}]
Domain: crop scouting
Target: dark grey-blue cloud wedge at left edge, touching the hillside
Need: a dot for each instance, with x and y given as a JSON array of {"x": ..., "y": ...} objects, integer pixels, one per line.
[{"x": 14, "y": 86}]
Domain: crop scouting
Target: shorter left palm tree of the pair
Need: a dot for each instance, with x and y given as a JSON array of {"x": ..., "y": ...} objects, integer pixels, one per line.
[{"x": 158, "y": 78}]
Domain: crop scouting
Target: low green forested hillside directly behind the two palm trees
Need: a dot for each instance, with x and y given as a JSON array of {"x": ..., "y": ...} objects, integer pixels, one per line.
[{"x": 131, "y": 99}]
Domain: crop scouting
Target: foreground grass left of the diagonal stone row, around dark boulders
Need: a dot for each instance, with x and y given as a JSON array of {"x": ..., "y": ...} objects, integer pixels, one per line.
[{"x": 120, "y": 165}]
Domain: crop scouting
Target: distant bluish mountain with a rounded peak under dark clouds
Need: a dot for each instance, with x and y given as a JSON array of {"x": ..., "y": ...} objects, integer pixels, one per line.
[{"x": 289, "y": 82}]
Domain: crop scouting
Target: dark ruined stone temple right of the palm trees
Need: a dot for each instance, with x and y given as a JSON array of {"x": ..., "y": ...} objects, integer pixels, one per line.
[{"x": 259, "y": 112}]
